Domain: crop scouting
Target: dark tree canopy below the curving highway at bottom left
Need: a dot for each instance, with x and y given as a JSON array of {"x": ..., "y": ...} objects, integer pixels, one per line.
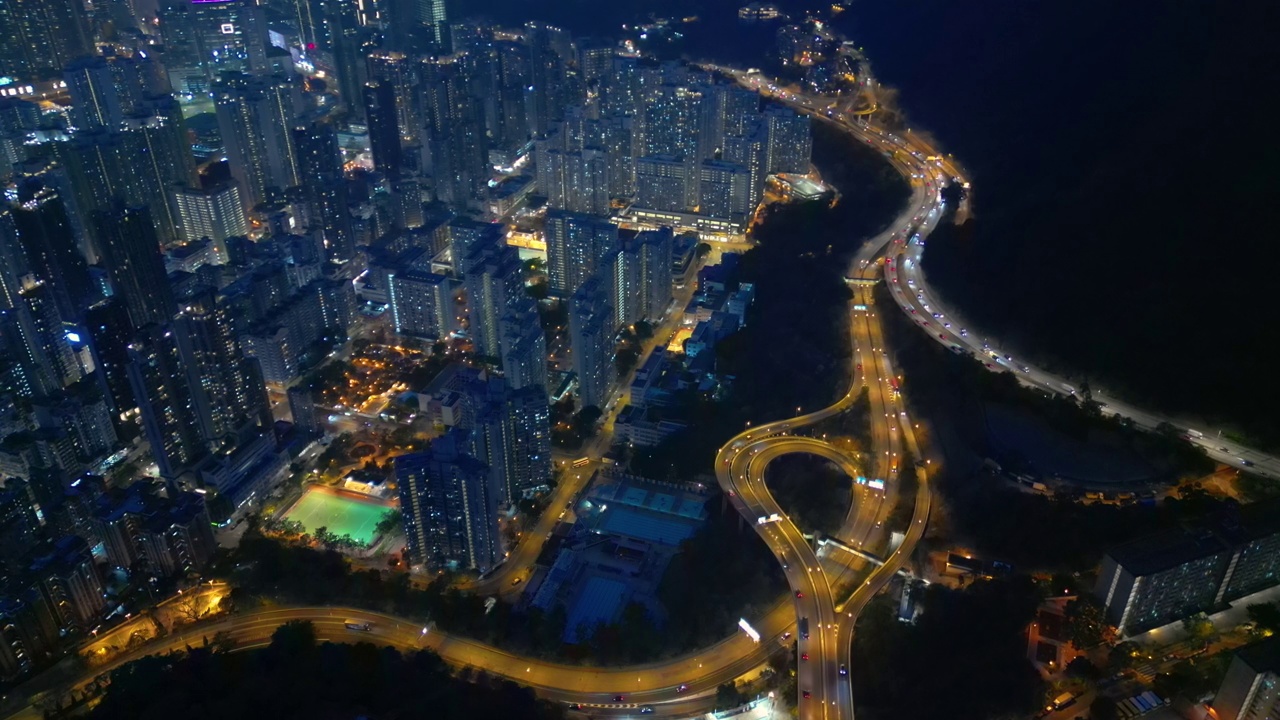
[{"x": 300, "y": 678}]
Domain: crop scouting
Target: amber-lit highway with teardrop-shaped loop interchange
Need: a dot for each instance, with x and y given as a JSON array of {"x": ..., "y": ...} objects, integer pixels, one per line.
[{"x": 820, "y": 581}]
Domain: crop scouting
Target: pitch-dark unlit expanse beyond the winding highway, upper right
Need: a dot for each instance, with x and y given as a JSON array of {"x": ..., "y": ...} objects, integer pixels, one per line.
[{"x": 1126, "y": 167}]
